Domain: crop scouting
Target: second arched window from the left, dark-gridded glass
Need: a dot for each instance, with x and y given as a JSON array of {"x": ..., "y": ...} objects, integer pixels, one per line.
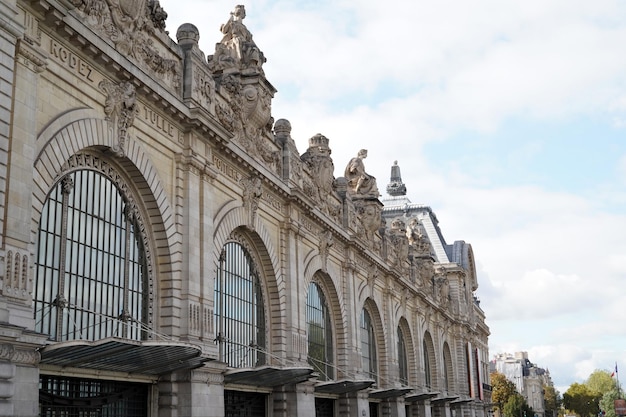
[{"x": 239, "y": 310}]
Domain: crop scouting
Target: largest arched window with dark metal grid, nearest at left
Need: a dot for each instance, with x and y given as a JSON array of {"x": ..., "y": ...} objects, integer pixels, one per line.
[{"x": 90, "y": 275}]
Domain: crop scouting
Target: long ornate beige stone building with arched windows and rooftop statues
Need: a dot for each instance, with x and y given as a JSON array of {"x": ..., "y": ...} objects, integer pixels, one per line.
[{"x": 162, "y": 239}]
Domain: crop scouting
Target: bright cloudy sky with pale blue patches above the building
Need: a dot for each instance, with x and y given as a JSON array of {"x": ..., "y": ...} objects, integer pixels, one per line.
[{"x": 508, "y": 118}]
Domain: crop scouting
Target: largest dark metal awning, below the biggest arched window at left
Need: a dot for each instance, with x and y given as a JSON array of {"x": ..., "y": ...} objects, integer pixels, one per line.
[{"x": 124, "y": 355}]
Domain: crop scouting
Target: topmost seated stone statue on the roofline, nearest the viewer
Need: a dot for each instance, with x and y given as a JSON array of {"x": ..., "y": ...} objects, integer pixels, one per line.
[{"x": 237, "y": 50}]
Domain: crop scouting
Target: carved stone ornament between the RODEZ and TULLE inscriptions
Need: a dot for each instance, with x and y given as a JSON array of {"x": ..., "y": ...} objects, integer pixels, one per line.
[{"x": 120, "y": 107}]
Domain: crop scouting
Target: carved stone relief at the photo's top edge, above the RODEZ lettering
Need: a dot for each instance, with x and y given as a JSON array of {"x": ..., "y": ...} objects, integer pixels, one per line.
[{"x": 130, "y": 25}]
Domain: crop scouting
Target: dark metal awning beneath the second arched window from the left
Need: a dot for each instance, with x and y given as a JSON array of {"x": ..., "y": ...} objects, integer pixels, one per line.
[{"x": 268, "y": 376}]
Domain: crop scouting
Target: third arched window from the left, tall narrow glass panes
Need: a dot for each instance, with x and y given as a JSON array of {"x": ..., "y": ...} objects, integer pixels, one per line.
[{"x": 319, "y": 332}]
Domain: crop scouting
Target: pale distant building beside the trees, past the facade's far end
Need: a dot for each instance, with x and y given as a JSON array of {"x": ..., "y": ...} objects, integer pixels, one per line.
[{"x": 529, "y": 379}]
